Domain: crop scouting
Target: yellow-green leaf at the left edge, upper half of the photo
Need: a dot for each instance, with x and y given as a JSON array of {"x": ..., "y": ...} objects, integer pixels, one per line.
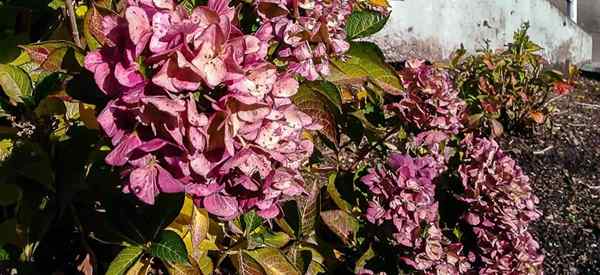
[{"x": 16, "y": 83}]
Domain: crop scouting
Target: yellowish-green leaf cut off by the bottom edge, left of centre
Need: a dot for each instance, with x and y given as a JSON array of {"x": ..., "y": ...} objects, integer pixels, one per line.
[{"x": 273, "y": 262}]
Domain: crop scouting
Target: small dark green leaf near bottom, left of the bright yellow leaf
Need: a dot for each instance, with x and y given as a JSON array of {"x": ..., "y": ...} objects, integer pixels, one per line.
[{"x": 169, "y": 247}]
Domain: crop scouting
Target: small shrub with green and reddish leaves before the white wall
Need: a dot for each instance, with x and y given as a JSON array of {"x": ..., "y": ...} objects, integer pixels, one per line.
[{"x": 508, "y": 89}]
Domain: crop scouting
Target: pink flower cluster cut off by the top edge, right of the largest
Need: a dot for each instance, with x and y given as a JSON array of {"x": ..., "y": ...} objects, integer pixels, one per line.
[{"x": 308, "y": 32}]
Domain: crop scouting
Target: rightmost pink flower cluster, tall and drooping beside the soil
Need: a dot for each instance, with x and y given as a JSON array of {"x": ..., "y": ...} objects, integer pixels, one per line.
[{"x": 501, "y": 206}]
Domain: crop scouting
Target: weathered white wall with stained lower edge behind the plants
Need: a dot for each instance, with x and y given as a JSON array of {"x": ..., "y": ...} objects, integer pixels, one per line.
[{"x": 433, "y": 29}]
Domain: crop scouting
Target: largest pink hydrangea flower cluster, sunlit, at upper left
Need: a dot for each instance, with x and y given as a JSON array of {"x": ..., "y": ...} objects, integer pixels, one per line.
[{"x": 196, "y": 108}]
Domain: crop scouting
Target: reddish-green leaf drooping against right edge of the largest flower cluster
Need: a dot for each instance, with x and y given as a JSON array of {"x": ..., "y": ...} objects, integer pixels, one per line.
[{"x": 315, "y": 105}]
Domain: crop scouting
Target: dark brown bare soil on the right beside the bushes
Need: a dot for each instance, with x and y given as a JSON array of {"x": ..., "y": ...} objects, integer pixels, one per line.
[{"x": 563, "y": 162}]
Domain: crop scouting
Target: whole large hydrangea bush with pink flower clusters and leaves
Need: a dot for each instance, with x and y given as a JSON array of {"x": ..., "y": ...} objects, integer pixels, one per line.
[{"x": 250, "y": 137}]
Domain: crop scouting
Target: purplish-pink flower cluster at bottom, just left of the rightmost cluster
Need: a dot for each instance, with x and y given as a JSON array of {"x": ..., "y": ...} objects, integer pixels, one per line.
[{"x": 406, "y": 198}]
